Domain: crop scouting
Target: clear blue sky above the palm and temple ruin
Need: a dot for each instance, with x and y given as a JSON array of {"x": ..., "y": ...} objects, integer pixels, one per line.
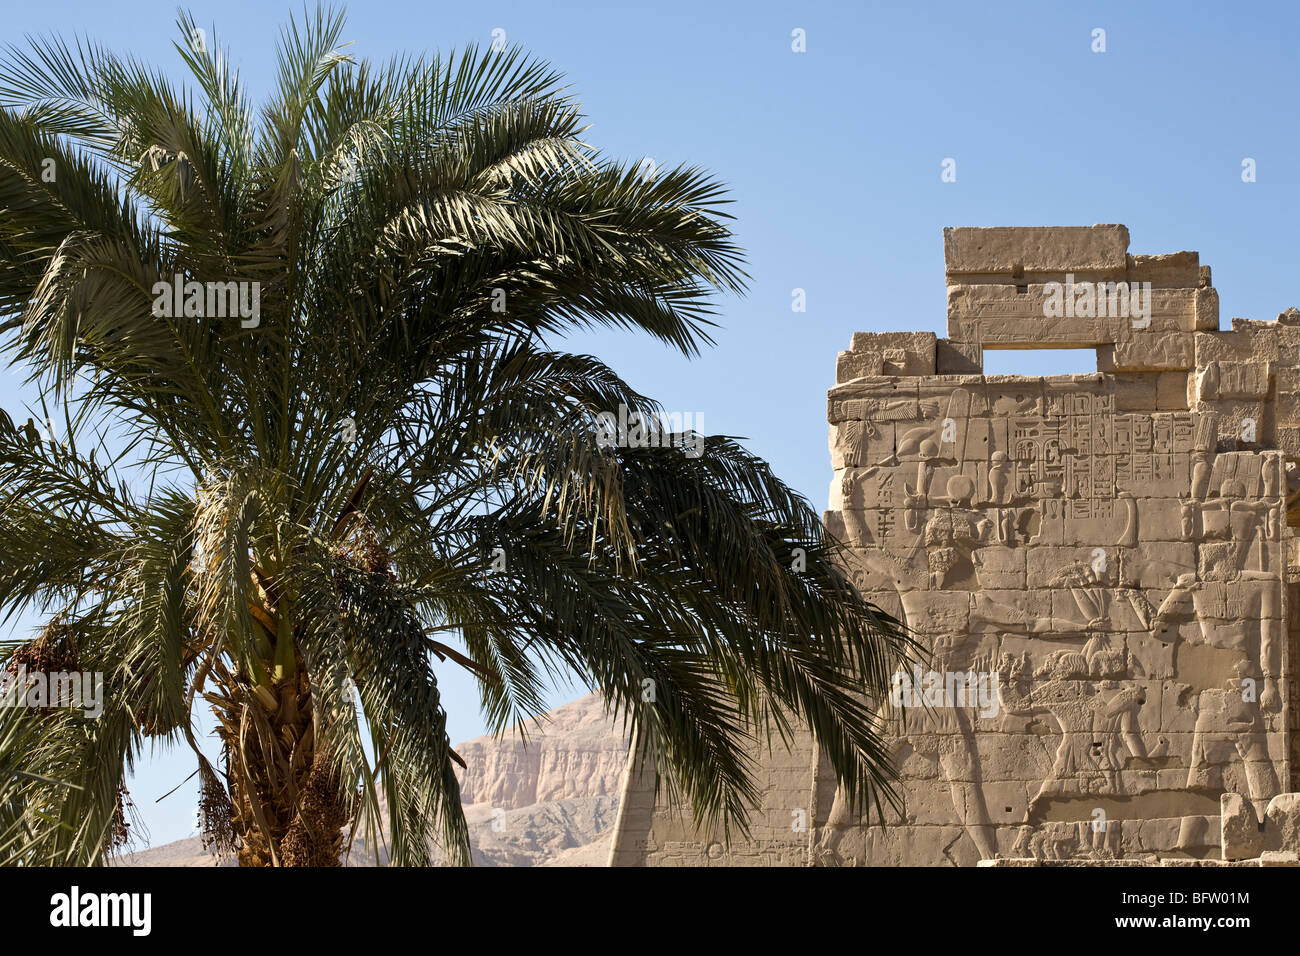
[{"x": 834, "y": 157}]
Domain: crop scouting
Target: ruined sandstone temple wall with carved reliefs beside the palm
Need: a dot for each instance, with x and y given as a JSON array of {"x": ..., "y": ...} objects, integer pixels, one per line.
[{"x": 1098, "y": 565}]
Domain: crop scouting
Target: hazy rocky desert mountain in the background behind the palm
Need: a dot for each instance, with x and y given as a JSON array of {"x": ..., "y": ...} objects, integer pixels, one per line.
[{"x": 539, "y": 797}]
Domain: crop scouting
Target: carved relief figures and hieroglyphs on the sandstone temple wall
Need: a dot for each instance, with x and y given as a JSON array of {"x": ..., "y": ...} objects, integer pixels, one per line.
[{"x": 1069, "y": 475}]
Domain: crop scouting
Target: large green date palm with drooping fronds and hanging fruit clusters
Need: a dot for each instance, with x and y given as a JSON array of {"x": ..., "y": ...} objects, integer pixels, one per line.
[{"x": 281, "y": 498}]
